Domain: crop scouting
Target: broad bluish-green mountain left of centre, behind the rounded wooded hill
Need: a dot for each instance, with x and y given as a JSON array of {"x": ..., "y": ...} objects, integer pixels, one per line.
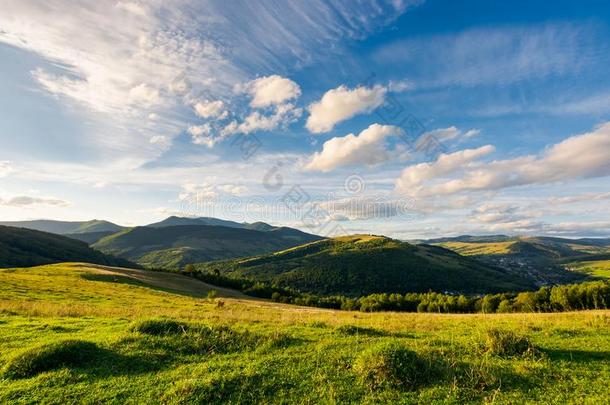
[{"x": 172, "y": 247}]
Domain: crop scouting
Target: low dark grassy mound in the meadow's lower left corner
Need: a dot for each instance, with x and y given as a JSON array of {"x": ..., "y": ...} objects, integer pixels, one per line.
[{"x": 67, "y": 353}]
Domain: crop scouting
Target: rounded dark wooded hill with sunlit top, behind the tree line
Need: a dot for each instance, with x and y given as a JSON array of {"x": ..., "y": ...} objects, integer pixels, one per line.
[{"x": 360, "y": 265}]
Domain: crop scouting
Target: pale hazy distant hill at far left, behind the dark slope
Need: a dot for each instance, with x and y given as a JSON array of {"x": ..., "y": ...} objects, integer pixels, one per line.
[{"x": 66, "y": 227}]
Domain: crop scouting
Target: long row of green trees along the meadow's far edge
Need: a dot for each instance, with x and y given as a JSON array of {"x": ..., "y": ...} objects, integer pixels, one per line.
[{"x": 569, "y": 297}]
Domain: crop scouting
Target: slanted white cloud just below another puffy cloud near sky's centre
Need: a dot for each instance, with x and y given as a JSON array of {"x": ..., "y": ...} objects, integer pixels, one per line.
[{"x": 366, "y": 148}]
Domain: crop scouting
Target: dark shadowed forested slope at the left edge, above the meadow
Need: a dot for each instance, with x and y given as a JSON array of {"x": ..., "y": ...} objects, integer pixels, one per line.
[{"x": 25, "y": 247}]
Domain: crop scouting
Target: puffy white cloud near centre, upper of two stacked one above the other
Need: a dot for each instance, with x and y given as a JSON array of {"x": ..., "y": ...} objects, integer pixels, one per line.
[{"x": 339, "y": 104}]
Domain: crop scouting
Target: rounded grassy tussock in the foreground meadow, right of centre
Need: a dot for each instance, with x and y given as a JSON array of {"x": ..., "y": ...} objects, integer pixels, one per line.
[{"x": 392, "y": 366}]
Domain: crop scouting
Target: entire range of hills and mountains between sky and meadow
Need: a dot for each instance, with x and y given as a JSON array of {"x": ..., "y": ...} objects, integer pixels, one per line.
[{"x": 354, "y": 265}]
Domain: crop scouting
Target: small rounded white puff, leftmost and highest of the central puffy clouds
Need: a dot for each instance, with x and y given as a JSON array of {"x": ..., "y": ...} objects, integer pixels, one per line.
[{"x": 271, "y": 90}]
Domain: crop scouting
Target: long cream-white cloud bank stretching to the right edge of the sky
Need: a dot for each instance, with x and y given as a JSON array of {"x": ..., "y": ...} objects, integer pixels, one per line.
[{"x": 581, "y": 156}]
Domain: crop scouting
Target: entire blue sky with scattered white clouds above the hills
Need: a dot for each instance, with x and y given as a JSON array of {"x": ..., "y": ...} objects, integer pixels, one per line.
[{"x": 412, "y": 119}]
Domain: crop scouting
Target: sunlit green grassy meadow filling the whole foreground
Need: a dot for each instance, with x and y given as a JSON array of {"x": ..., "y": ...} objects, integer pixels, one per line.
[{"x": 78, "y": 334}]
